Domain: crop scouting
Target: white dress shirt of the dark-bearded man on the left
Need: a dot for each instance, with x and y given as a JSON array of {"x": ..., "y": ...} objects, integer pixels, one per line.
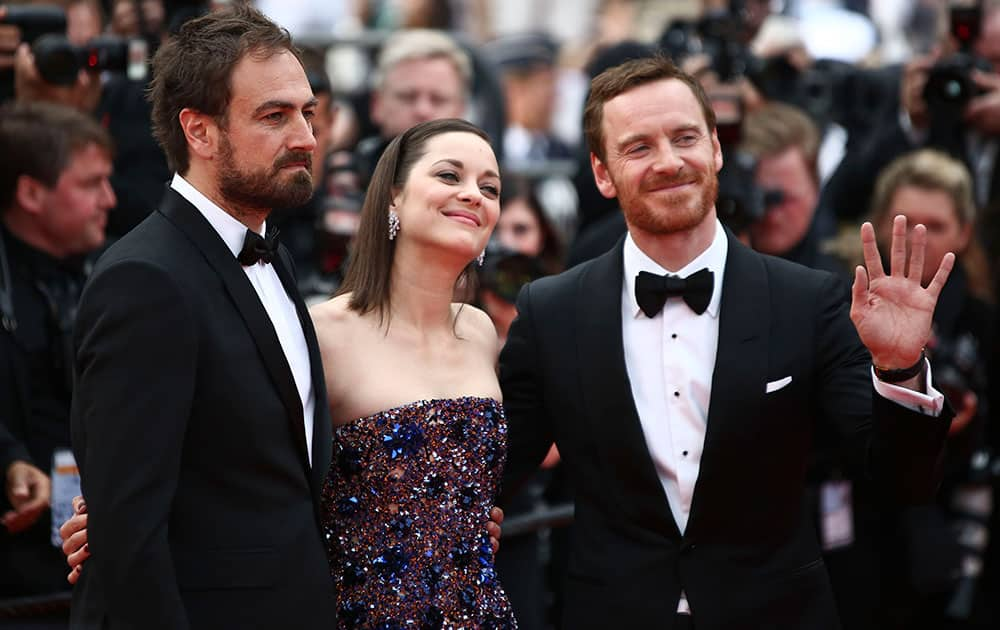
[{"x": 276, "y": 301}]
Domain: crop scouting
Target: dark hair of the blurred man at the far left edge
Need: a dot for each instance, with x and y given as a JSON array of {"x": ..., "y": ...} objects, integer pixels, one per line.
[{"x": 43, "y": 137}]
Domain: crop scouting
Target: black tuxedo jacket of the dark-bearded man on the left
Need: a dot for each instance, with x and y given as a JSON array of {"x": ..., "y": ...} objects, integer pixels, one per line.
[{"x": 189, "y": 433}]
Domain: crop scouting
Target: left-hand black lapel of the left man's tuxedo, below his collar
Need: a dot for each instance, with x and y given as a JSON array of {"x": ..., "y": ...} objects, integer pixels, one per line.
[{"x": 187, "y": 218}]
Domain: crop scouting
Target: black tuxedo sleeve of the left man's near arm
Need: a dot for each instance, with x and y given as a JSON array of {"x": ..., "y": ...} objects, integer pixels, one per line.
[{"x": 135, "y": 375}]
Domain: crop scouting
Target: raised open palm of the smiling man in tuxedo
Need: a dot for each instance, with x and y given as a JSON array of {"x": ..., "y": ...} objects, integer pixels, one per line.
[{"x": 893, "y": 313}]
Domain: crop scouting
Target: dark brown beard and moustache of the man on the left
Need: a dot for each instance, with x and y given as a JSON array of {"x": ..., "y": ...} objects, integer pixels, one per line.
[{"x": 268, "y": 190}]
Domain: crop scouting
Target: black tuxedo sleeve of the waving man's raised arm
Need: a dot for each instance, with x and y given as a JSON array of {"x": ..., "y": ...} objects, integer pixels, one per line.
[{"x": 894, "y": 447}]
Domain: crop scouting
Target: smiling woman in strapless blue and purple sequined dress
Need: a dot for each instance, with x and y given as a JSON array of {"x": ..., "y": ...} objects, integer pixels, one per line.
[{"x": 420, "y": 435}]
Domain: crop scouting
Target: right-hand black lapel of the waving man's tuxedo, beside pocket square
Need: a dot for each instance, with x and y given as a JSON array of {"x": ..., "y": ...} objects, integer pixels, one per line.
[{"x": 740, "y": 364}]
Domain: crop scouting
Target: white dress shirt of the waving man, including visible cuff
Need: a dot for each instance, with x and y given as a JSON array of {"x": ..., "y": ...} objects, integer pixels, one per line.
[{"x": 670, "y": 360}]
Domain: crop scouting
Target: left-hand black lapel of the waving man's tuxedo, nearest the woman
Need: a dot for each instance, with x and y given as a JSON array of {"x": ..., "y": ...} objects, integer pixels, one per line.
[{"x": 607, "y": 393}]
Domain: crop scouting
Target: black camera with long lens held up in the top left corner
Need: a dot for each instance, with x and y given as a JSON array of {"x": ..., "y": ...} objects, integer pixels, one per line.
[{"x": 58, "y": 61}]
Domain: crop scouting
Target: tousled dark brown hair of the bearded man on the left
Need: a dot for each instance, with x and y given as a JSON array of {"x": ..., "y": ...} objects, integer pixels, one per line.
[{"x": 194, "y": 70}]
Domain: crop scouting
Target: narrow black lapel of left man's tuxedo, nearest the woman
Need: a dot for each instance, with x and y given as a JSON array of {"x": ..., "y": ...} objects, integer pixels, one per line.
[{"x": 322, "y": 425}]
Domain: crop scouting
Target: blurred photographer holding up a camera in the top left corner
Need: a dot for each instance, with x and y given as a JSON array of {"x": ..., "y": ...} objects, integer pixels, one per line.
[{"x": 62, "y": 57}]
